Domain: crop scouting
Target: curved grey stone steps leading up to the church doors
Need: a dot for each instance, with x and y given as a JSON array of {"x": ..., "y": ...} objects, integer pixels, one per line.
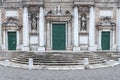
[{"x": 58, "y": 58}]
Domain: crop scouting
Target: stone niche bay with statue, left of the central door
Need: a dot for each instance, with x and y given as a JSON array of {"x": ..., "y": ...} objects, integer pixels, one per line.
[{"x": 33, "y": 23}]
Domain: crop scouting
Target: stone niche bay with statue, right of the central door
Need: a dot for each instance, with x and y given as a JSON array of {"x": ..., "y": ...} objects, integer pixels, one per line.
[{"x": 83, "y": 26}]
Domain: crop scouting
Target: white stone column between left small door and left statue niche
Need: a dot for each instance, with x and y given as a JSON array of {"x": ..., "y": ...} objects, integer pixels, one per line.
[{"x": 25, "y": 30}]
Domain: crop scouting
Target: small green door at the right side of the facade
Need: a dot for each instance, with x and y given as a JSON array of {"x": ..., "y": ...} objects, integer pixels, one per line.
[{"x": 105, "y": 41}]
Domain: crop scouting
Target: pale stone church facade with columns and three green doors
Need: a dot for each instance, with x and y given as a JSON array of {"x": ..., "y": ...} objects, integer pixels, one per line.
[{"x": 53, "y": 25}]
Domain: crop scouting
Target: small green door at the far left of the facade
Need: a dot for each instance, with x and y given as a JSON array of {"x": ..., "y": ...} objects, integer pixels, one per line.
[{"x": 11, "y": 40}]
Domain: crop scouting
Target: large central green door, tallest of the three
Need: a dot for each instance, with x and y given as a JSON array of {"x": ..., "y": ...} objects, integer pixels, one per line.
[{"x": 58, "y": 37}]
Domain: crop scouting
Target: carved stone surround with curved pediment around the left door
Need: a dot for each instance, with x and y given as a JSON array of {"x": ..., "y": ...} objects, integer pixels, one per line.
[{"x": 11, "y": 25}]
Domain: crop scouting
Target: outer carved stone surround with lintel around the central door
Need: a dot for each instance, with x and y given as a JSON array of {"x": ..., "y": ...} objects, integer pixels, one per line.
[{"x": 67, "y": 19}]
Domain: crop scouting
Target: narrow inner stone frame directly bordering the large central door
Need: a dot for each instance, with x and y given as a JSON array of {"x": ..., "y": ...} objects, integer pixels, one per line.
[{"x": 66, "y": 28}]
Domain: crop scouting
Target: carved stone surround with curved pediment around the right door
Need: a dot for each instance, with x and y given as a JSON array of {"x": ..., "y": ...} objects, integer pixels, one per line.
[{"x": 106, "y": 25}]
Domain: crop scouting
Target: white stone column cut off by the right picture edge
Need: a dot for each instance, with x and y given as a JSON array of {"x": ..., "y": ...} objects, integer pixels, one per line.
[{"x": 118, "y": 29}]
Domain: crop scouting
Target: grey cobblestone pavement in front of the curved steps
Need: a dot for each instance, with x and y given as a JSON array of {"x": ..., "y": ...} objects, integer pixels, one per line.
[{"x": 111, "y": 73}]
